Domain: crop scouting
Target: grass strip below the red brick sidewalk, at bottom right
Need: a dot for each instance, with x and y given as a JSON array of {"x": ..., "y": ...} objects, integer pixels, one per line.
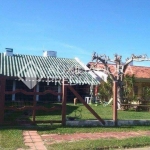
[{"x": 102, "y": 144}]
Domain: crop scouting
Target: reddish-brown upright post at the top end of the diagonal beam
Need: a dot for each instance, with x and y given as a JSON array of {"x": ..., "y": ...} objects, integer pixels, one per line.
[{"x": 64, "y": 94}]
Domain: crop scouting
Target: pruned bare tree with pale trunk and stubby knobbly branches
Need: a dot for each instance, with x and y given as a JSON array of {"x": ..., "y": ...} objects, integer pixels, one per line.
[{"x": 120, "y": 69}]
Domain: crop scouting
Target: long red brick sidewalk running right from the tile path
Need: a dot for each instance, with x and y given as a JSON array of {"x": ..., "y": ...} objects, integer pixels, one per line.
[{"x": 56, "y": 138}]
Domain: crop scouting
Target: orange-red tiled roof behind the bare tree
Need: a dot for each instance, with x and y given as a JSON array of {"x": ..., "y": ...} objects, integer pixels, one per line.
[{"x": 140, "y": 72}]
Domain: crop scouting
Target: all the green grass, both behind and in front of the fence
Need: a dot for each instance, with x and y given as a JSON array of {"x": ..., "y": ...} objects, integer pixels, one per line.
[{"x": 11, "y": 137}]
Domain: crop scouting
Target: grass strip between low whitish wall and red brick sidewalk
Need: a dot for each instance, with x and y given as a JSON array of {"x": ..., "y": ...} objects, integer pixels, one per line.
[{"x": 58, "y": 129}]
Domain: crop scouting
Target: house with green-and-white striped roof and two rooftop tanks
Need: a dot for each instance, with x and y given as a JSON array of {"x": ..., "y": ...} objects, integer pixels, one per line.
[{"x": 43, "y": 72}]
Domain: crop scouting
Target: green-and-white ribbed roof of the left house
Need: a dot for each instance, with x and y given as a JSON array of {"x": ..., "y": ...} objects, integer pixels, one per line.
[{"x": 27, "y": 66}]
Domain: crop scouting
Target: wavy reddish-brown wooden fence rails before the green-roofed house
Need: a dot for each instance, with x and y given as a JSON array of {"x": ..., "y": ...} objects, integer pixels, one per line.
[{"x": 33, "y": 106}]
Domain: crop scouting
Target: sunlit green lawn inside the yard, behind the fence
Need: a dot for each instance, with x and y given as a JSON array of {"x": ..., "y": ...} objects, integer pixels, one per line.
[{"x": 81, "y": 112}]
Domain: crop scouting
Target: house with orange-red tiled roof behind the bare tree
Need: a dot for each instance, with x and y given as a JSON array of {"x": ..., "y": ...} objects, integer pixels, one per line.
[{"x": 141, "y": 75}]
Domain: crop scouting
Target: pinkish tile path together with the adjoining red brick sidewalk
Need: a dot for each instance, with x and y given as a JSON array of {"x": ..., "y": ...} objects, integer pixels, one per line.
[{"x": 36, "y": 142}]
